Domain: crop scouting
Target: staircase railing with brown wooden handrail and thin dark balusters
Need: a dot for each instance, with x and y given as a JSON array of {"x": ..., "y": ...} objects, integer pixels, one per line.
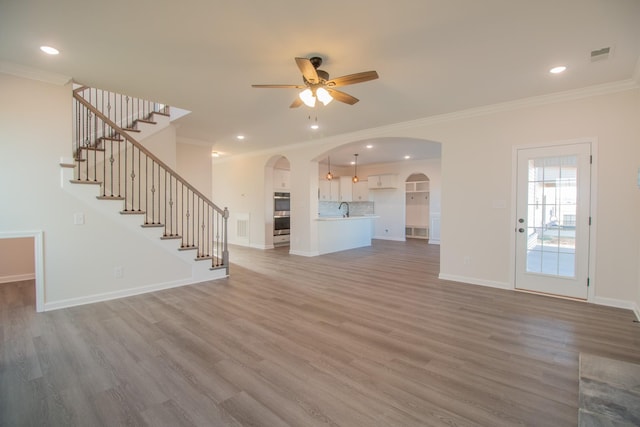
[{"x": 106, "y": 154}]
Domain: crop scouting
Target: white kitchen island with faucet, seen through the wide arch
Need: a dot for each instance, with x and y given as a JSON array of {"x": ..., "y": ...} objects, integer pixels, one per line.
[{"x": 337, "y": 233}]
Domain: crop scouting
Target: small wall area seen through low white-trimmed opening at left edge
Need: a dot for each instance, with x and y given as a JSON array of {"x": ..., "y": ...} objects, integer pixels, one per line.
[{"x": 17, "y": 260}]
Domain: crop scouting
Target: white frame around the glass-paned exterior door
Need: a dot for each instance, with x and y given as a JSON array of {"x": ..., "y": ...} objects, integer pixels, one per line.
[{"x": 513, "y": 222}]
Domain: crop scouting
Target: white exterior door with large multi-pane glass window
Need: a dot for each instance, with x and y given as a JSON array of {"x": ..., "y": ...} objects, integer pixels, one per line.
[{"x": 553, "y": 219}]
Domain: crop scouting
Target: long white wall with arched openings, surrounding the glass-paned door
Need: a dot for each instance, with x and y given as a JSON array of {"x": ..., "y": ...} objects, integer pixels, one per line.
[{"x": 477, "y": 181}]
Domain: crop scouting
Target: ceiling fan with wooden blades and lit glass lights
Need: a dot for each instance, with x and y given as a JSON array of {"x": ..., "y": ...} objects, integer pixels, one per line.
[{"x": 317, "y": 84}]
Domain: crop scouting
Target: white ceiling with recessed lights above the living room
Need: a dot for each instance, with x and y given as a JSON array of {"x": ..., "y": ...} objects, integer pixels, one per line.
[{"x": 433, "y": 57}]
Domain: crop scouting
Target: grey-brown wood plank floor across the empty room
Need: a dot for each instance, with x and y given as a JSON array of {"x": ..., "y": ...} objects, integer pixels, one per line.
[{"x": 368, "y": 337}]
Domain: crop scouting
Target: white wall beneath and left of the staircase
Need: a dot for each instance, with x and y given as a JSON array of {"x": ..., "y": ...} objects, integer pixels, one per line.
[{"x": 79, "y": 260}]
